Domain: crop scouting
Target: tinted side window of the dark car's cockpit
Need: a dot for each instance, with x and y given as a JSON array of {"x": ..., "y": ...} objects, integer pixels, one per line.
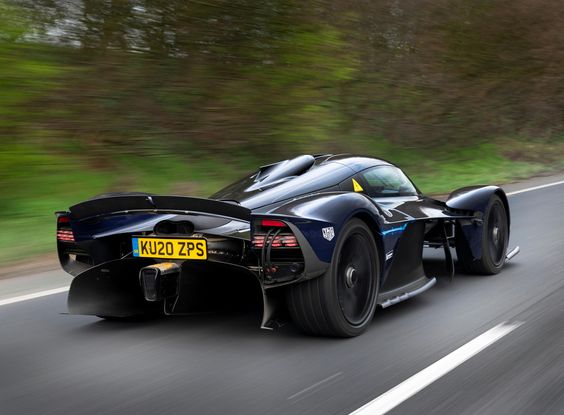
[{"x": 387, "y": 181}]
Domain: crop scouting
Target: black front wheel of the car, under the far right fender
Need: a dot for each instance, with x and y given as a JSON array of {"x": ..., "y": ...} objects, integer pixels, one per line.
[{"x": 495, "y": 239}]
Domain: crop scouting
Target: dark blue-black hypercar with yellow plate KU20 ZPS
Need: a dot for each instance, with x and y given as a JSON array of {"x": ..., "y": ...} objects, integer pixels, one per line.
[{"x": 327, "y": 237}]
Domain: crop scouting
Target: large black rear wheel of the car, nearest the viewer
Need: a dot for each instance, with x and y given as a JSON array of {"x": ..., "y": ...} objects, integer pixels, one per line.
[{"x": 341, "y": 302}]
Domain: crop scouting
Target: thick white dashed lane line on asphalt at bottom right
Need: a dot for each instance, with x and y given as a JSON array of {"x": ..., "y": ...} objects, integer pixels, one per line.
[{"x": 421, "y": 380}]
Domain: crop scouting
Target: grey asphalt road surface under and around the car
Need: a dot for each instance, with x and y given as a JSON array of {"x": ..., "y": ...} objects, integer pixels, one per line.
[{"x": 51, "y": 363}]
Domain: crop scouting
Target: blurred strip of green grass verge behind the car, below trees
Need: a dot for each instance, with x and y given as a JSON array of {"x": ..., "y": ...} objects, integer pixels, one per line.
[{"x": 35, "y": 184}]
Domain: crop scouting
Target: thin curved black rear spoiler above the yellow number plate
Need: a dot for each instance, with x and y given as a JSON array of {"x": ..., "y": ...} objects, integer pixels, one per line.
[{"x": 159, "y": 204}]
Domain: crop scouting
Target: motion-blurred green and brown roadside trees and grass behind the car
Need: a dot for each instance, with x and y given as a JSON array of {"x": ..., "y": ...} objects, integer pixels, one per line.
[{"x": 185, "y": 96}]
